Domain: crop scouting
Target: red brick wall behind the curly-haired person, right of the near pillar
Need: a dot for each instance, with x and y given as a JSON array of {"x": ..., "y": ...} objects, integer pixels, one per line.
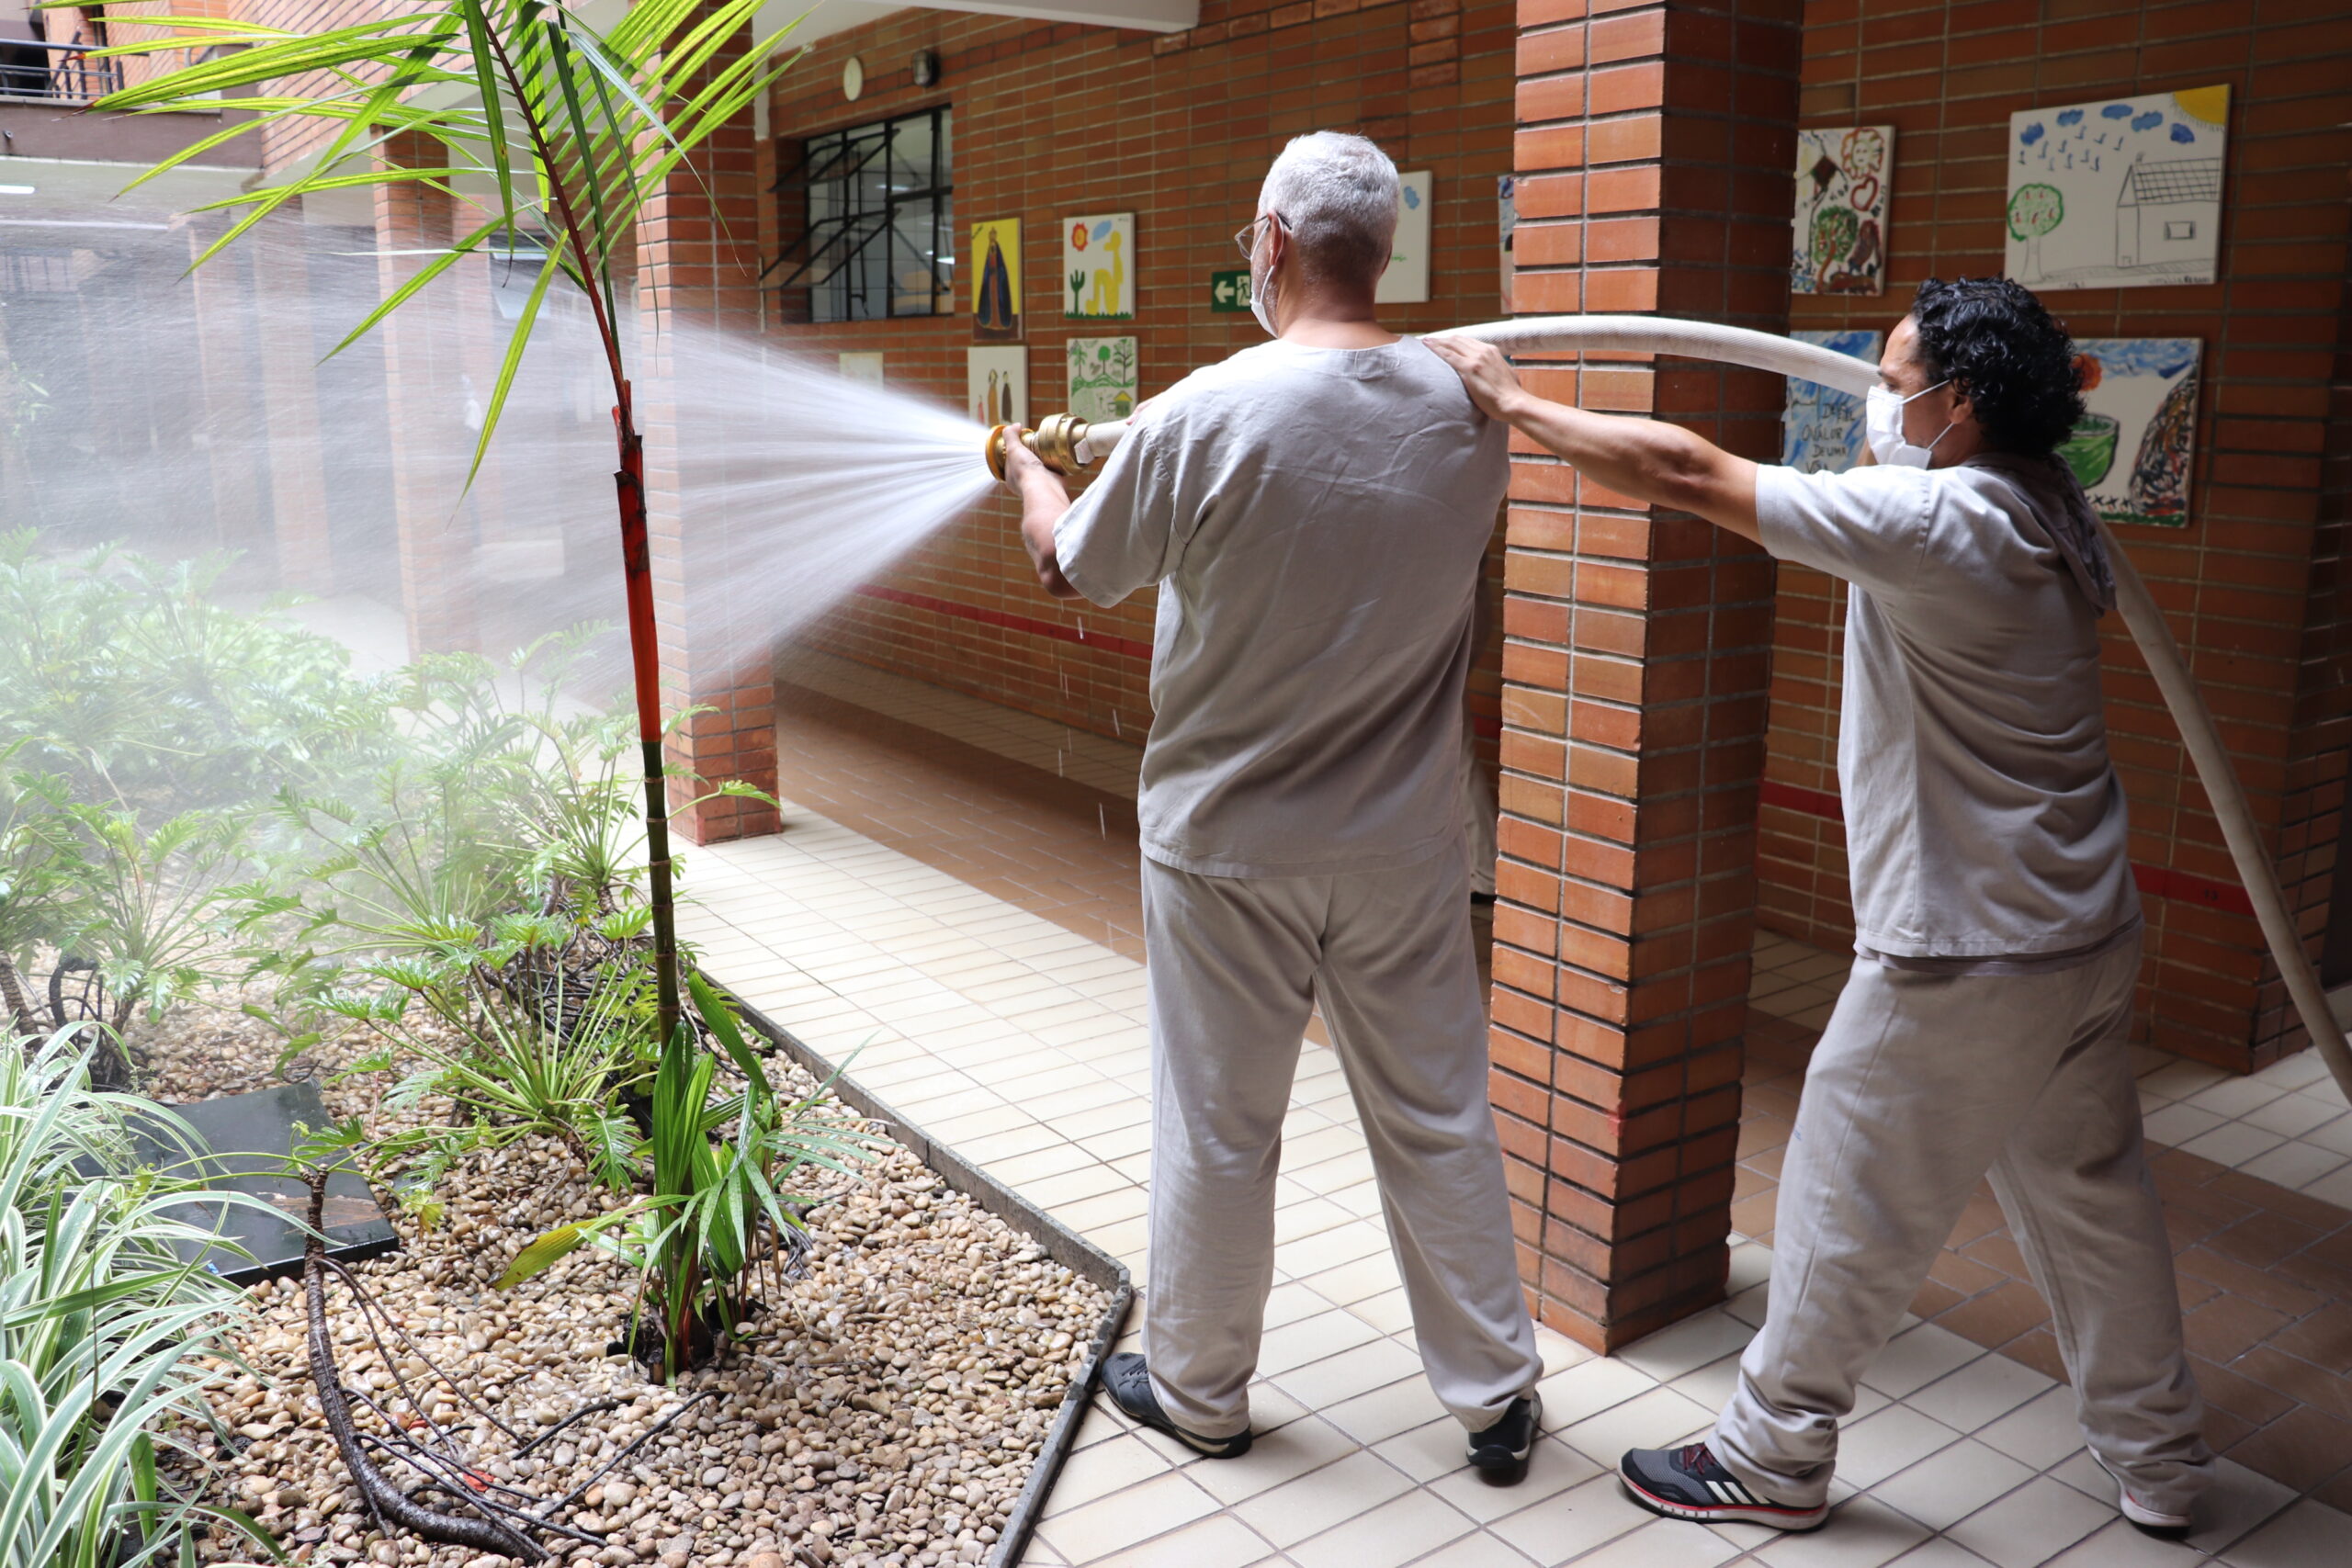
[{"x": 2264, "y": 634}]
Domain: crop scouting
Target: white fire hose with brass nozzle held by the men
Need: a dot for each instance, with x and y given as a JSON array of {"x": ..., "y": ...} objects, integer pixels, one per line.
[{"x": 1067, "y": 445}]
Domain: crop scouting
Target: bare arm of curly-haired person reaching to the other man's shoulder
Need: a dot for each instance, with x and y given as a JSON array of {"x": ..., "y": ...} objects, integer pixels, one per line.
[{"x": 1636, "y": 457}]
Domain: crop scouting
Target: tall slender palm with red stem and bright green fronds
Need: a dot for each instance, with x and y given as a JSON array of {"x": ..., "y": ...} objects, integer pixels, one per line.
[{"x": 577, "y": 133}]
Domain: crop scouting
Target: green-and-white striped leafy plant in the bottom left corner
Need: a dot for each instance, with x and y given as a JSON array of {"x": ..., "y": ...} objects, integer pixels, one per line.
[{"x": 109, "y": 1336}]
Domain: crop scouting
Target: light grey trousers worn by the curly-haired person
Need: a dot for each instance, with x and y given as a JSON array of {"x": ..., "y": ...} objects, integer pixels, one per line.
[{"x": 1918, "y": 1087}]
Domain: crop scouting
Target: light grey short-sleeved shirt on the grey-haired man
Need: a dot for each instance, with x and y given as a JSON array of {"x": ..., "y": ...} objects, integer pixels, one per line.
[{"x": 1316, "y": 521}]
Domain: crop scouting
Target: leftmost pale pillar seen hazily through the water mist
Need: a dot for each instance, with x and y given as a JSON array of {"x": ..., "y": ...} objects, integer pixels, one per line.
[{"x": 290, "y": 403}]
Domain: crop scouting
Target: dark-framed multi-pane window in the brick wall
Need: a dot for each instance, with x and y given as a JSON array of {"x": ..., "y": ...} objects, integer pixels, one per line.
[{"x": 881, "y": 227}]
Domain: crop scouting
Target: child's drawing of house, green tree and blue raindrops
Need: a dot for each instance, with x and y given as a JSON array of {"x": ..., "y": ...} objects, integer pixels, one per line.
[{"x": 2118, "y": 194}]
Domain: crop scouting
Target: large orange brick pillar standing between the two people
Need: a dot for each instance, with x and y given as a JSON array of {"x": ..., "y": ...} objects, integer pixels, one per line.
[{"x": 1655, "y": 175}]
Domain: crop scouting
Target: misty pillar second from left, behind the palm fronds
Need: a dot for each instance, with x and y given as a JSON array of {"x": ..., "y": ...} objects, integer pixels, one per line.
[{"x": 425, "y": 391}]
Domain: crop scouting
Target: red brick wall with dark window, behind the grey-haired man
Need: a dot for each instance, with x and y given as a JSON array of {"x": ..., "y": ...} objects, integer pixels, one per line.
[{"x": 1060, "y": 121}]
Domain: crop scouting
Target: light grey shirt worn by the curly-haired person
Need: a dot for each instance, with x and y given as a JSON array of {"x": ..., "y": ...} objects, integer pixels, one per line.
[{"x": 1984, "y": 819}]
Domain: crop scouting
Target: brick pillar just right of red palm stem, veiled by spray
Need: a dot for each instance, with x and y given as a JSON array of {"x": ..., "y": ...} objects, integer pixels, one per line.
[{"x": 700, "y": 274}]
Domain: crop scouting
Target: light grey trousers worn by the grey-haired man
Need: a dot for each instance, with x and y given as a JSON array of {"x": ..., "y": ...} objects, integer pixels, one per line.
[{"x": 1234, "y": 970}]
